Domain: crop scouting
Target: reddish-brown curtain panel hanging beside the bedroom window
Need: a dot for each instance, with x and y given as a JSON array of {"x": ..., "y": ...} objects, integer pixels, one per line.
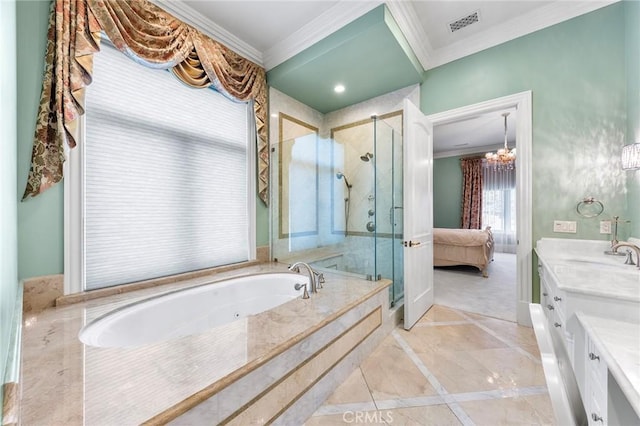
[{"x": 471, "y": 193}]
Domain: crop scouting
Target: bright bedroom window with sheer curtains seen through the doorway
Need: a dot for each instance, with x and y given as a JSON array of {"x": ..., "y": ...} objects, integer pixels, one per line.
[{"x": 499, "y": 207}]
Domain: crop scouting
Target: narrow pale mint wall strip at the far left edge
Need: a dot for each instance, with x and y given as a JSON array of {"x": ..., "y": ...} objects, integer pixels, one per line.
[{"x": 8, "y": 219}]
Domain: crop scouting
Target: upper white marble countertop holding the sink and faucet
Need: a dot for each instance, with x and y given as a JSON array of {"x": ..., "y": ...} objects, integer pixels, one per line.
[{"x": 580, "y": 266}]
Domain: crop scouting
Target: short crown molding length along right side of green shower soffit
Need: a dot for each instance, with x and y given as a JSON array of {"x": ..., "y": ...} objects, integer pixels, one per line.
[{"x": 407, "y": 19}]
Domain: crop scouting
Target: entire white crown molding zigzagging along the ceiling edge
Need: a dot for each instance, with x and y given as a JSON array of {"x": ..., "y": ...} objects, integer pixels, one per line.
[{"x": 346, "y": 11}]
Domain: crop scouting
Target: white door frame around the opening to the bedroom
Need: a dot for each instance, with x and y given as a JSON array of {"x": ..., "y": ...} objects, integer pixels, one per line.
[{"x": 524, "y": 142}]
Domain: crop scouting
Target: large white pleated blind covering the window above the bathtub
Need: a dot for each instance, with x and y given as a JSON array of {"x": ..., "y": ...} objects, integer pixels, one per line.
[{"x": 165, "y": 175}]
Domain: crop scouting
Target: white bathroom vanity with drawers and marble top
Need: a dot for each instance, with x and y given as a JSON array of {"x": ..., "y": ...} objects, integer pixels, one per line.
[{"x": 592, "y": 301}]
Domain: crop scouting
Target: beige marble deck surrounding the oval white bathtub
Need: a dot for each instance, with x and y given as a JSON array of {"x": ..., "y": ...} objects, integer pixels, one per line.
[{"x": 66, "y": 382}]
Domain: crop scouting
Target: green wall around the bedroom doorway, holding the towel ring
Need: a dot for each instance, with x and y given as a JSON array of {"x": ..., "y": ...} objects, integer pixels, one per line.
[{"x": 576, "y": 72}]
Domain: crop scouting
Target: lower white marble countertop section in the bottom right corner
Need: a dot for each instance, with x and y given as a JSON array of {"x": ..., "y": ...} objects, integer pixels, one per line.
[{"x": 619, "y": 345}]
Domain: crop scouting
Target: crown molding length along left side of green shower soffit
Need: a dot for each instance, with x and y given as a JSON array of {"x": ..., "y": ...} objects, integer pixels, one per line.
[{"x": 332, "y": 20}]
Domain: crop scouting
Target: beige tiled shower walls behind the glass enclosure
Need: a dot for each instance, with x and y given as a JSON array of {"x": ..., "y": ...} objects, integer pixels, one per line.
[{"x": 356, "y": 252}]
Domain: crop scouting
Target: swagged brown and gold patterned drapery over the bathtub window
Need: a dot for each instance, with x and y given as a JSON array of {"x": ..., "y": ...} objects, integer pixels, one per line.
[{"x": 152, "y": 38}]
